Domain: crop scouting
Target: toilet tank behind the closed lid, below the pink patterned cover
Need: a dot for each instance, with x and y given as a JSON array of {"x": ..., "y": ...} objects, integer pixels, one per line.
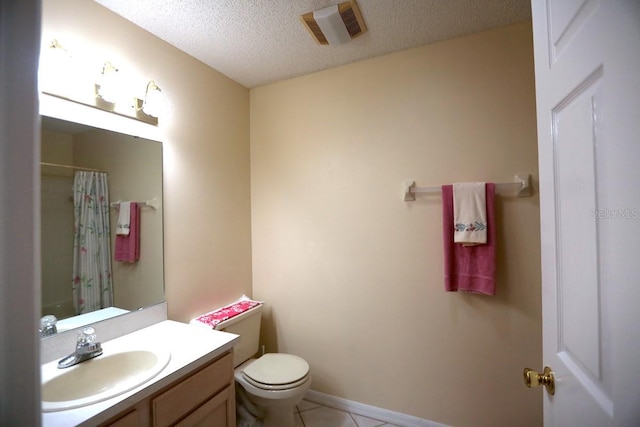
[{"x": 247, "y": 325}]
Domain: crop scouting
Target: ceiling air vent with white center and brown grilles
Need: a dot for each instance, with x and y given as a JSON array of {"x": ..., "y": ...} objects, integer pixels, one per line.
[{"x": 335, "y": 24}]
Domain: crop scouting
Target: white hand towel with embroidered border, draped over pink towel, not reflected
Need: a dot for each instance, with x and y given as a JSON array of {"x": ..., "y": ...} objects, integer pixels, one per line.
[{"x": 469, "y": 213}]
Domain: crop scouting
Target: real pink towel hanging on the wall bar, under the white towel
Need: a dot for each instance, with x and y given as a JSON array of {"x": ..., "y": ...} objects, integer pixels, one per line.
[{"x": 469, "y": 268}]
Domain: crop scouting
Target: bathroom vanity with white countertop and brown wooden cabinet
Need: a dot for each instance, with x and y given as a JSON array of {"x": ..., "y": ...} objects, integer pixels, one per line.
[{"x": 196, "y": 387}]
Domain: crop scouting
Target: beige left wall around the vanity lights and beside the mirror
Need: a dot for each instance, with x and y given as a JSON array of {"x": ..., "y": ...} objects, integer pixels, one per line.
[{"x": 206, "y": 153}]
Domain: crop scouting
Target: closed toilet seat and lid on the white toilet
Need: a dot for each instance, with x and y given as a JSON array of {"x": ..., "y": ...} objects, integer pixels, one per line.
[{"x": 277, "y": 371}]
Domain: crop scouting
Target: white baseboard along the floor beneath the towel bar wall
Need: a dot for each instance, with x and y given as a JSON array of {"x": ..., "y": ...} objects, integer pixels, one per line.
[{"x": 385, "y": 415}]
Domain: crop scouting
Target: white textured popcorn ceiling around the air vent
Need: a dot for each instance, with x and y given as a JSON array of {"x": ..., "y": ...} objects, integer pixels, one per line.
[{"x": 256, "y": 42}]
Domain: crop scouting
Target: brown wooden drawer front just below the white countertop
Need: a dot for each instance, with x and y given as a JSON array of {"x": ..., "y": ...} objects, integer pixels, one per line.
[{"x": 181, "y": 399}]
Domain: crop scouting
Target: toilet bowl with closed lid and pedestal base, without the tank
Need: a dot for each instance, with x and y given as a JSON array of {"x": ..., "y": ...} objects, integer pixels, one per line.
[{"x": 276, "y": 382}]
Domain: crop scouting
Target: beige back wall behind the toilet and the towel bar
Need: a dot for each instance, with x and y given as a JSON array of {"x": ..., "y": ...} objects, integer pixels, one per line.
[{"x": 352, "y": 275}]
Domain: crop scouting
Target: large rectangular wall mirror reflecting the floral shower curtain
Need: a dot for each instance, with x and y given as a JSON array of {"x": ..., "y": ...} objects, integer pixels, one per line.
[{"x": 130, "y": 170}]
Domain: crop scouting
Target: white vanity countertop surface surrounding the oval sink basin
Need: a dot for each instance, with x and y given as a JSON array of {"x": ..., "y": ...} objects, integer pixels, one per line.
[{"x": 190, "y": 348}]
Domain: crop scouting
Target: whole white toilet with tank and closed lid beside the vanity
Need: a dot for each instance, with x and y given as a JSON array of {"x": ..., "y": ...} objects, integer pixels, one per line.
[{"x": 274, "y": 382}]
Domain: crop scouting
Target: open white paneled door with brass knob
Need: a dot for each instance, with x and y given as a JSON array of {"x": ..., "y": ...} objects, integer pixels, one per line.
[{"x": 587, "y": 59}]
